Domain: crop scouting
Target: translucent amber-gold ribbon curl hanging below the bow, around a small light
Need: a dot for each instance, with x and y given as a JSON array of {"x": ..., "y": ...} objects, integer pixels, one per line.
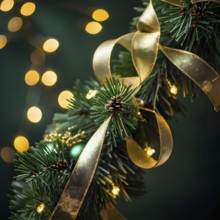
[{"x": 137, "y": 154}]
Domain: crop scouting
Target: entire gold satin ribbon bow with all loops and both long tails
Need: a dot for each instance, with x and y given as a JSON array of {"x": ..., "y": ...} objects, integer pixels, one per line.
[{"x": 143, "y": 45}]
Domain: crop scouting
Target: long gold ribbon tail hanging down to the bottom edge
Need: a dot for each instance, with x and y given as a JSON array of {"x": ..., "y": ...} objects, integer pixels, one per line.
[{"x": 81, "y": 177}]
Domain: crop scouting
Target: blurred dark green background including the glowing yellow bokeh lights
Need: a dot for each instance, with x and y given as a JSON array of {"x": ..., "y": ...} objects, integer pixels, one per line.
[{"x": 44, "y": 47}]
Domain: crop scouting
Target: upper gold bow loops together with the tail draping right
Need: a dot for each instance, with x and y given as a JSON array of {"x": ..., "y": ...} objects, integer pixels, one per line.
[{"x": 144, "y": 46}]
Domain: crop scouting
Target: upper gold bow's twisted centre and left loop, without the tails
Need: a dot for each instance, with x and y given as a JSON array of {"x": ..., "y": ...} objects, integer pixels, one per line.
[{"x": 143, "y": 45}]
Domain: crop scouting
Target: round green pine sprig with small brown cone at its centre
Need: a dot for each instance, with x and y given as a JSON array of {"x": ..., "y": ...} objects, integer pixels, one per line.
[{"x": 114, "y": 100}]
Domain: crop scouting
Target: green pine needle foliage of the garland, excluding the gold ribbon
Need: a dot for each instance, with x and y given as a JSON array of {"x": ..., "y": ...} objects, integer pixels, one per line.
[{"x": 45, "y": 168}]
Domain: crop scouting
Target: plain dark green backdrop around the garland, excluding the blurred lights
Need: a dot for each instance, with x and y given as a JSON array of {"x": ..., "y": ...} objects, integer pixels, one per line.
[{"x": 186, "y": 187}]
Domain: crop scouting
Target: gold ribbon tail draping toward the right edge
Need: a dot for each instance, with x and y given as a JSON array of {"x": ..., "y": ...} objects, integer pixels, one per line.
[{"x": 198, "y": 70}]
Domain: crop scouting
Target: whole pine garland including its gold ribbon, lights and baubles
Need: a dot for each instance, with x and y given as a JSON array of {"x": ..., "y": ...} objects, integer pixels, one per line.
[{"x": 93, "y": 156}]
